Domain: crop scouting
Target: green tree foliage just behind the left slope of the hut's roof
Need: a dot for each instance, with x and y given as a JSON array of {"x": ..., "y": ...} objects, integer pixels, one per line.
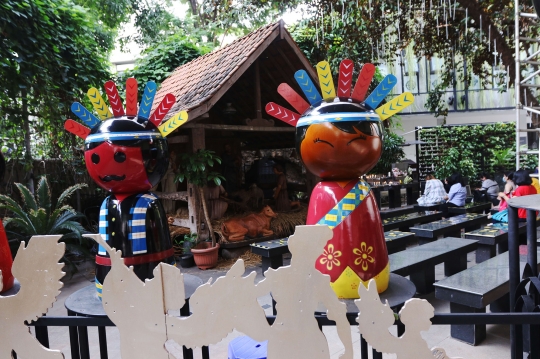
[{"x": 159, "y": 60}]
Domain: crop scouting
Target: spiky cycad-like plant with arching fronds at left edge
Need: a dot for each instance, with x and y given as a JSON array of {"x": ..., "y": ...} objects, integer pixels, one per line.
[{"x": 36, "y": 215}]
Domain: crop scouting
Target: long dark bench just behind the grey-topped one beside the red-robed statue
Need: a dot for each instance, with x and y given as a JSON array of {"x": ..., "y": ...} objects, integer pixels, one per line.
[{"x": 450, "y": 227}]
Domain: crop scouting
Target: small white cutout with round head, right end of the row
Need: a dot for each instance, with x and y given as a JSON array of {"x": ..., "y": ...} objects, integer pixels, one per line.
[{"x": 374, "y": 319}]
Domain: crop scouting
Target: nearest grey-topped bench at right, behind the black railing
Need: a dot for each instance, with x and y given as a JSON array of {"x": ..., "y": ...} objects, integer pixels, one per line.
[{"x": 471, "y": 290}]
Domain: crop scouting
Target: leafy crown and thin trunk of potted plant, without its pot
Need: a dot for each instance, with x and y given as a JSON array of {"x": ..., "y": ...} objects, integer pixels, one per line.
[{"x": 196, "y": 169}]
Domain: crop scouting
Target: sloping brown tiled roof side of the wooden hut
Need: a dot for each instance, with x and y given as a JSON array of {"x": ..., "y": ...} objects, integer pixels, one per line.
[{"x": 197, "y": 81}]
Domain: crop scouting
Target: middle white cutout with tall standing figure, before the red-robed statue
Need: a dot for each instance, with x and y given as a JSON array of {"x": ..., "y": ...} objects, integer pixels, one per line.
[{"x": 231, "y": 303}]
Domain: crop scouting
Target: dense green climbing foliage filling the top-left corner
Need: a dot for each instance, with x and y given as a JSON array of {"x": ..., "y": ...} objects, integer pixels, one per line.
[{"x": 51, "y": 52}]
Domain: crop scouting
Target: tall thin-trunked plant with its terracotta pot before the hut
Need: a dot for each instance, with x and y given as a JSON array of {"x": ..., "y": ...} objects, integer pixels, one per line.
[{"x": 195, "y": 168}]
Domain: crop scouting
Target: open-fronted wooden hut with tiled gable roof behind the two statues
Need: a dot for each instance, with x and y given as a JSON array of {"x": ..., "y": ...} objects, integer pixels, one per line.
[{"x": 225, "y": 93}]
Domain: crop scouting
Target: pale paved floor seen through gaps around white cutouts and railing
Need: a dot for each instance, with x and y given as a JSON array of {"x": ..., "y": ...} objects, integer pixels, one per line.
[{"x": 497, "y": 344}]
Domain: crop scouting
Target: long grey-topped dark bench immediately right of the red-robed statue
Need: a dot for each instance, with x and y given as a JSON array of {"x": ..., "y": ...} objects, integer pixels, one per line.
[{"x": 419, "y": 262}]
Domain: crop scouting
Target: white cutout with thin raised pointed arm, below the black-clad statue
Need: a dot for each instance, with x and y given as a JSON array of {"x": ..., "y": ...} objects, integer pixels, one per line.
[{"x": 138, "y": 308}]
